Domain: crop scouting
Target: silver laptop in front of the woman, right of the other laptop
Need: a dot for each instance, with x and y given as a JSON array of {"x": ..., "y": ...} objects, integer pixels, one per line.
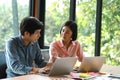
[{"x": 91, "y": 64}]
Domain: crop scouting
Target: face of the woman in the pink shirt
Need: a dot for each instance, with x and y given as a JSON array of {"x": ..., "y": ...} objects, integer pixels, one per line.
[{"x": 66, "y": 34}]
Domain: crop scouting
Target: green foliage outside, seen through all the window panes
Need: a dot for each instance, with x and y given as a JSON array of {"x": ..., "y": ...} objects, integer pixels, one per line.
[{"x": 56, "y": 15}]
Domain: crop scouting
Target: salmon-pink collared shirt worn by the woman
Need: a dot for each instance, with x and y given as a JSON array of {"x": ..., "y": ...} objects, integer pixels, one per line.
[{"x": 57, "y": 49}]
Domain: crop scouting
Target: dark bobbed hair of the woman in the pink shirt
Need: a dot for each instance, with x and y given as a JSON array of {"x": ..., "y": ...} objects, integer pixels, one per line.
[{"x": 73, "y": 27}]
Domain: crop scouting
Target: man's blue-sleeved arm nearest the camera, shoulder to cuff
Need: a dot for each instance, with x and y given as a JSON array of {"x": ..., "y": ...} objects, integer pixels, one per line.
[{"x": 13, "y": 59}]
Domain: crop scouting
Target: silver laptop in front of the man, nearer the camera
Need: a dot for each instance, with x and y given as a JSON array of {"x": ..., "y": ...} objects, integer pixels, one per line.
[{"x": 62, "y": 66}]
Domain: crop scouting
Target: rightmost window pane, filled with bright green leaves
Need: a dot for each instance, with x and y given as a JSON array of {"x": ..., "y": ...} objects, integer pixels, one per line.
[{"x": 110, "y": 40}]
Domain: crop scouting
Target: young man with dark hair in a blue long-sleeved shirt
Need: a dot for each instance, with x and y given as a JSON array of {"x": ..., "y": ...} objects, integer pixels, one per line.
[{"x": 23, "y": 51}]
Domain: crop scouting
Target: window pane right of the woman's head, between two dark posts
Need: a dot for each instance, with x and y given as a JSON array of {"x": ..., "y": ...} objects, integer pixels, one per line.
[{"x": 86, "y": 20}]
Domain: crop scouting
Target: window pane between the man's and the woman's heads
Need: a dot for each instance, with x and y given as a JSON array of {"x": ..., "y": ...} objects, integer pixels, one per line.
[{"x": 57, "y": 12}]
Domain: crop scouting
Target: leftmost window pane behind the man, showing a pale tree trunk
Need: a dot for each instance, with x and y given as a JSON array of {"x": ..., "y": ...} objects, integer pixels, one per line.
[{"x": 11, "y": 11}]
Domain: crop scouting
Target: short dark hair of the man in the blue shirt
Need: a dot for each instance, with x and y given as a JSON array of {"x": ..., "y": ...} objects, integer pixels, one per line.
[{"x": 30, "y": 24}]
